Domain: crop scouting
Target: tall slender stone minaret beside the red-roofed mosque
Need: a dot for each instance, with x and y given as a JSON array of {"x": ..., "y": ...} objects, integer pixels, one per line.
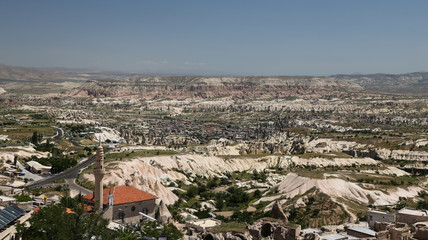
[{"x": 99, "y": 174}]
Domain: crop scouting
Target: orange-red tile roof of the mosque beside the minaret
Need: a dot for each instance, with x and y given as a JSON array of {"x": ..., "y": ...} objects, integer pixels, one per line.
[{"x": 123, "y": 194}]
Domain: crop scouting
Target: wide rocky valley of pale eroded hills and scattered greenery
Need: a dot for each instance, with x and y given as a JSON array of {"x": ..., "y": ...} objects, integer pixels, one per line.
[{"x": 225, "y": 146}]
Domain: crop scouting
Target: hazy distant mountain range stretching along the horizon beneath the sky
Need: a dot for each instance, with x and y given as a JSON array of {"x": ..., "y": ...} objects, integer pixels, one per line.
[{"x": 408, "y": 84}]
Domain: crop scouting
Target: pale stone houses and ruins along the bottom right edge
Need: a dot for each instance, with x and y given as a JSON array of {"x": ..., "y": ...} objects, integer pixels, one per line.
[{"x": 405, "y": 224}]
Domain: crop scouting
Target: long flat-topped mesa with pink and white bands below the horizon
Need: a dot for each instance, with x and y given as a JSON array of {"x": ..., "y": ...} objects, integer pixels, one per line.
[{"x": 212, "y": 87}]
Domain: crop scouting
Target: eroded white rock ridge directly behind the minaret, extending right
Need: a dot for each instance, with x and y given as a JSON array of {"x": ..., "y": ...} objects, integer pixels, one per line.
[{"x": 150, "y": 173}]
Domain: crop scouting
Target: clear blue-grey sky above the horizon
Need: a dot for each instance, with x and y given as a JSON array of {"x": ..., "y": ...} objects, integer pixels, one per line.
[{"x": 230, "y": 37}]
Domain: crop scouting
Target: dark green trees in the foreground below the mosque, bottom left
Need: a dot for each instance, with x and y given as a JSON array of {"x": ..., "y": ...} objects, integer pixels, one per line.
[{"x": 69, "y": 220}]
